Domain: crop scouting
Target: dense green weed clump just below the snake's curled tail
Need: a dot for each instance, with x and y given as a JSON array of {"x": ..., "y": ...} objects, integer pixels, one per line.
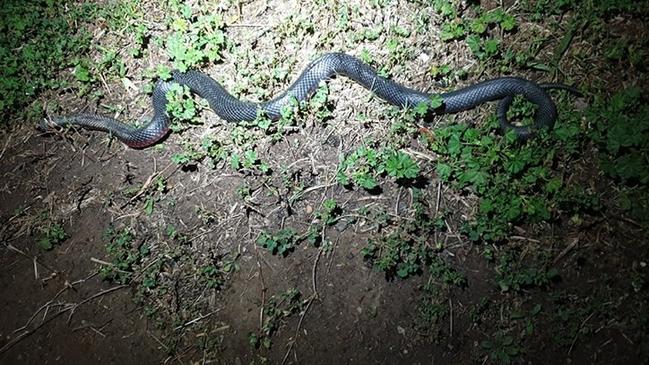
[{"x": 516, "y": 183}]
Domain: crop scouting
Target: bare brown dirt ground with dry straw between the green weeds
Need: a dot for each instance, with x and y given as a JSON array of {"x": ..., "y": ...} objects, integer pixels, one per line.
[{"x": 58, "y": 308}]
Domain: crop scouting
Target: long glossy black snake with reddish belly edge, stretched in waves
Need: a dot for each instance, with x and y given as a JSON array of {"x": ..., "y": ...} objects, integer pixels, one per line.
[{"x": 327, "y": 66}]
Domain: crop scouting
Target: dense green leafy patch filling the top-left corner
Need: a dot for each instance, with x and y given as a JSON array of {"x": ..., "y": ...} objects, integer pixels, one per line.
[{"x": 37, "y": 42}]
